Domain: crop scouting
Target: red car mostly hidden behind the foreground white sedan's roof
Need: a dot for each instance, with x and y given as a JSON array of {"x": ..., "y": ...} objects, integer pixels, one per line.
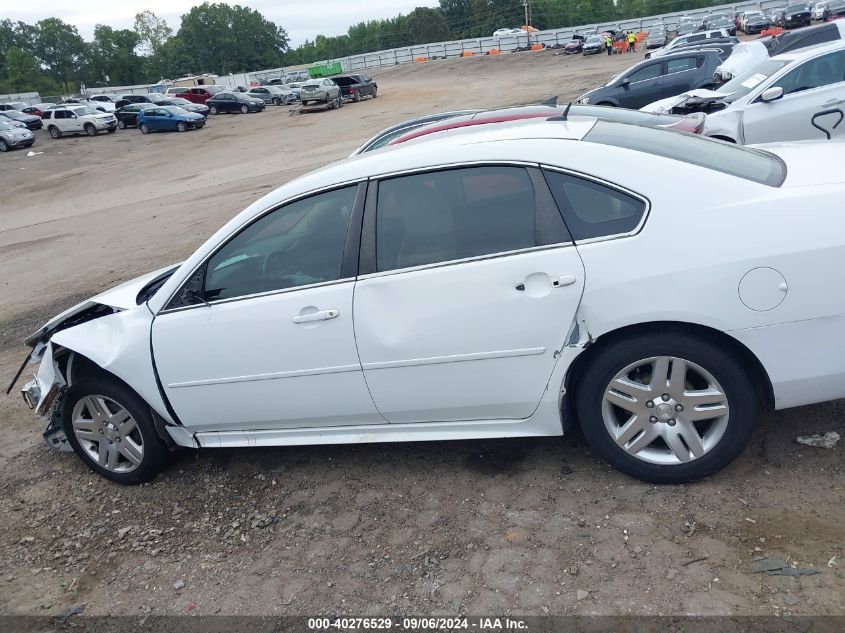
[{"x": 682, "y": 123}]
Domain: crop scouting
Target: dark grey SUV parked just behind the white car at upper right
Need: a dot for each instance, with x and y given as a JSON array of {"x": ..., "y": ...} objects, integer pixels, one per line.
[{"x": 656, "y": 79}]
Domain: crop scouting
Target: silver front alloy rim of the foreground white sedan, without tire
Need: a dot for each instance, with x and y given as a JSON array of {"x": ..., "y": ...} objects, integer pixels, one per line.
[{"x": 108, "y": 434}]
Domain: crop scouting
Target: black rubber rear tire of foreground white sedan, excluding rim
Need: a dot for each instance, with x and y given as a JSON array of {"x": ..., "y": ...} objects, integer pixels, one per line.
[{"x": 723, "y": 365}]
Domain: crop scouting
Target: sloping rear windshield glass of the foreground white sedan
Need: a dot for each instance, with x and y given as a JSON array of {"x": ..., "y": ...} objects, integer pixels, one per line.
[{"x": 735, "y": 160}]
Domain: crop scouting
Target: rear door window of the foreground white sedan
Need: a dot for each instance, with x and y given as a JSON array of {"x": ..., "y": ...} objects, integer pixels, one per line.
[{"x": 449, "y": 215}]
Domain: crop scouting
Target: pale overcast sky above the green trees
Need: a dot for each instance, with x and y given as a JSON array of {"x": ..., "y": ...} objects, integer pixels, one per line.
[{"x": 303, "y": 19}]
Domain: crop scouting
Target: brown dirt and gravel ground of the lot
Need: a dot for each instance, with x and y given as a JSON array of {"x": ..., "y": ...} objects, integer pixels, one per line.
[{"x": 517, "y": 527}]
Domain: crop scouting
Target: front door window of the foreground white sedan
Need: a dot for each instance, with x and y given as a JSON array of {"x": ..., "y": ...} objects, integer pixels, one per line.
[{"x": 299, "y": 244}]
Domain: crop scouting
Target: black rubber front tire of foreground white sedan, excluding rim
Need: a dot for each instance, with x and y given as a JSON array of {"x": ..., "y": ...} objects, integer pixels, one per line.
[{"x": 155, "y": 452}]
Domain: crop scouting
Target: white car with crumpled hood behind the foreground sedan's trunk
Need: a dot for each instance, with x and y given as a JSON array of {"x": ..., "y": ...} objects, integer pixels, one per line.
[{"x": 789, "y": 97}]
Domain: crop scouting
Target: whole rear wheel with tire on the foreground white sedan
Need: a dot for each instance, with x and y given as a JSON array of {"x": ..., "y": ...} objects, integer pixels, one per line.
[{"x": 666, "y": 407}]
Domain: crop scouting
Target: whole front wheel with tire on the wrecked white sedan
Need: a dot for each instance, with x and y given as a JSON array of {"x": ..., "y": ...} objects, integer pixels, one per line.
[{"x": 111, "y": 428}]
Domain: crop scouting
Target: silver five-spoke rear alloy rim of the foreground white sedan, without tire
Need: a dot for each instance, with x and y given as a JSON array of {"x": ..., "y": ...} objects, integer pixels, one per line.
[{"x": 665, "y": 410}]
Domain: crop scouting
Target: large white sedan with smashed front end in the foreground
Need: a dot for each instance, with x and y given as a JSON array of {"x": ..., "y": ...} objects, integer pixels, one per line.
[{"x": 483, "y": 283}]
